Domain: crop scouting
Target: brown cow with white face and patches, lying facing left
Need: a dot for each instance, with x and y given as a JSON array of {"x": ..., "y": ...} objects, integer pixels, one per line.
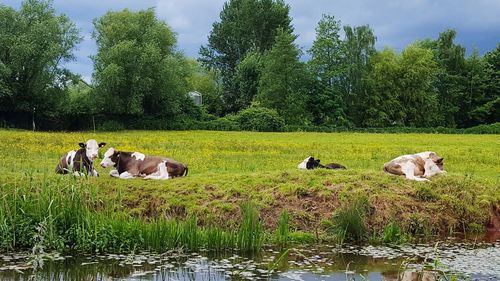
[{"x": 135, "y": 164}]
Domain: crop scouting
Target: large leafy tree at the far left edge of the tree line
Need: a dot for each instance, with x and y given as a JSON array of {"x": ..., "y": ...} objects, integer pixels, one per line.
[{"x": 34, "y": 43}]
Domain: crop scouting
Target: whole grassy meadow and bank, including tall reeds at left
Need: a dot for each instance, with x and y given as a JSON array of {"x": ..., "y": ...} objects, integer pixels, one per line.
[{"x": 229, "y": 169}]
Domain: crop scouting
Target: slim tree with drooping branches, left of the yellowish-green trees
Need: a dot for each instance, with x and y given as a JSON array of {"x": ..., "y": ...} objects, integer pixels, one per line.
[{"x": 358, "y": 50}]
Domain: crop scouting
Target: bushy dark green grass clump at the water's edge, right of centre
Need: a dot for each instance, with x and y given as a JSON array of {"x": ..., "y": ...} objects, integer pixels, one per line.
[{"x": 349, "y": 221}]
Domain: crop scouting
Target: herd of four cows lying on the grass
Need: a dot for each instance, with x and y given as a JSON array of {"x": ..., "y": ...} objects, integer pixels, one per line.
[{"x": 129, "y": 165}]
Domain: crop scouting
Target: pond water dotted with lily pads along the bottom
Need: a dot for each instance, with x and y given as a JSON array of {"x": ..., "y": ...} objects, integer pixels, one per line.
[{"x": 474, "y": 261}]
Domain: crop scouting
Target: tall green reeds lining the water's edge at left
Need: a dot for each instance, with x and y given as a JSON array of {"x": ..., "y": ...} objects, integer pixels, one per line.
[{"x": 65, "y": 207}]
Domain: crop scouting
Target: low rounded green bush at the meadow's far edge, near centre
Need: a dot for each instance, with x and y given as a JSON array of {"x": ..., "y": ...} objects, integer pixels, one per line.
[{"x": 260, "y": 119}]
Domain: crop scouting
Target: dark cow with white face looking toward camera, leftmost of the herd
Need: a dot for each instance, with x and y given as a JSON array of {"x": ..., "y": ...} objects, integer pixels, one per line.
[{"x": 80, "y": 162}]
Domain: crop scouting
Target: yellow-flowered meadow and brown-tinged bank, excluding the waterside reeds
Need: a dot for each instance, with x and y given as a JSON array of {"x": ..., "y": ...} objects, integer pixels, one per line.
[{"x": 227, "y": 169}]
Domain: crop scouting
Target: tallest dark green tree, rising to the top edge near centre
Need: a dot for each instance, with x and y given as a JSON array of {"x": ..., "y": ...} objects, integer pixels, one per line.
[{"x": 245, "y": 25}]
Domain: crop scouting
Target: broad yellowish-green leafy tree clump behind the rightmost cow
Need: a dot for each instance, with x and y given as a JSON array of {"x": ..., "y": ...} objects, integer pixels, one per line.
[{"x": 401, "y": 89}]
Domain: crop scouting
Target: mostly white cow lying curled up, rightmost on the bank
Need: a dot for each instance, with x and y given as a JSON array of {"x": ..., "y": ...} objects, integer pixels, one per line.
[{"x": 419, "y": 166}]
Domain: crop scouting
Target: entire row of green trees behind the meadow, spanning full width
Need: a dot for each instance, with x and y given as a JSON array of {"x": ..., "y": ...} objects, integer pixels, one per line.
[{"x": 250, "y": 67}]
